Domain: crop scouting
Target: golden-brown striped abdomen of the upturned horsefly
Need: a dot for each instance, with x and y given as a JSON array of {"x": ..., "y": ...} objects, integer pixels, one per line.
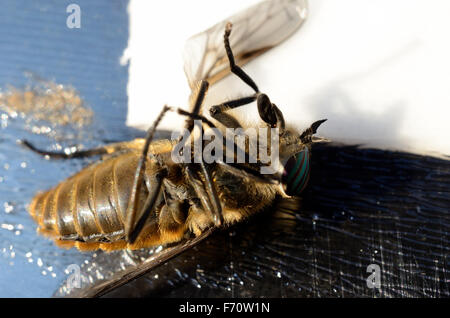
[{"x": 88, "y": 209}]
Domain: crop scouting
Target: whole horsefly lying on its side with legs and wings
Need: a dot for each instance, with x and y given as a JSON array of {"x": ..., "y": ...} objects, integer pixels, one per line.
[{"x": 145, "y": 193}]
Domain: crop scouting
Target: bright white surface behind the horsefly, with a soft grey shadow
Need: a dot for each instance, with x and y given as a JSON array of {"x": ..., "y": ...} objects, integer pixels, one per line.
[{"x": 378, "y": 70}]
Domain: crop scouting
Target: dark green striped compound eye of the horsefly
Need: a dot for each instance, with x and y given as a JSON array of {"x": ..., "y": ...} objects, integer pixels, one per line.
[{"x": 296, "y": 172}]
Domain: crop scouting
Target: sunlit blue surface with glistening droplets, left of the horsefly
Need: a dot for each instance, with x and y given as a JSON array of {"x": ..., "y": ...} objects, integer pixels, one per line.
[{"x": 34, "y": 38}]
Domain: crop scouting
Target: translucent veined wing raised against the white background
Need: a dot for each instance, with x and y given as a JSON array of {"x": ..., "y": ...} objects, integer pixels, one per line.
[{"x": 255, "y": 30}]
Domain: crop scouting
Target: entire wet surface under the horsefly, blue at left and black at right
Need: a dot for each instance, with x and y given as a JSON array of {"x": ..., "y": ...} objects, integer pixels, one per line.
[{"x": 362, "y": 207}]
